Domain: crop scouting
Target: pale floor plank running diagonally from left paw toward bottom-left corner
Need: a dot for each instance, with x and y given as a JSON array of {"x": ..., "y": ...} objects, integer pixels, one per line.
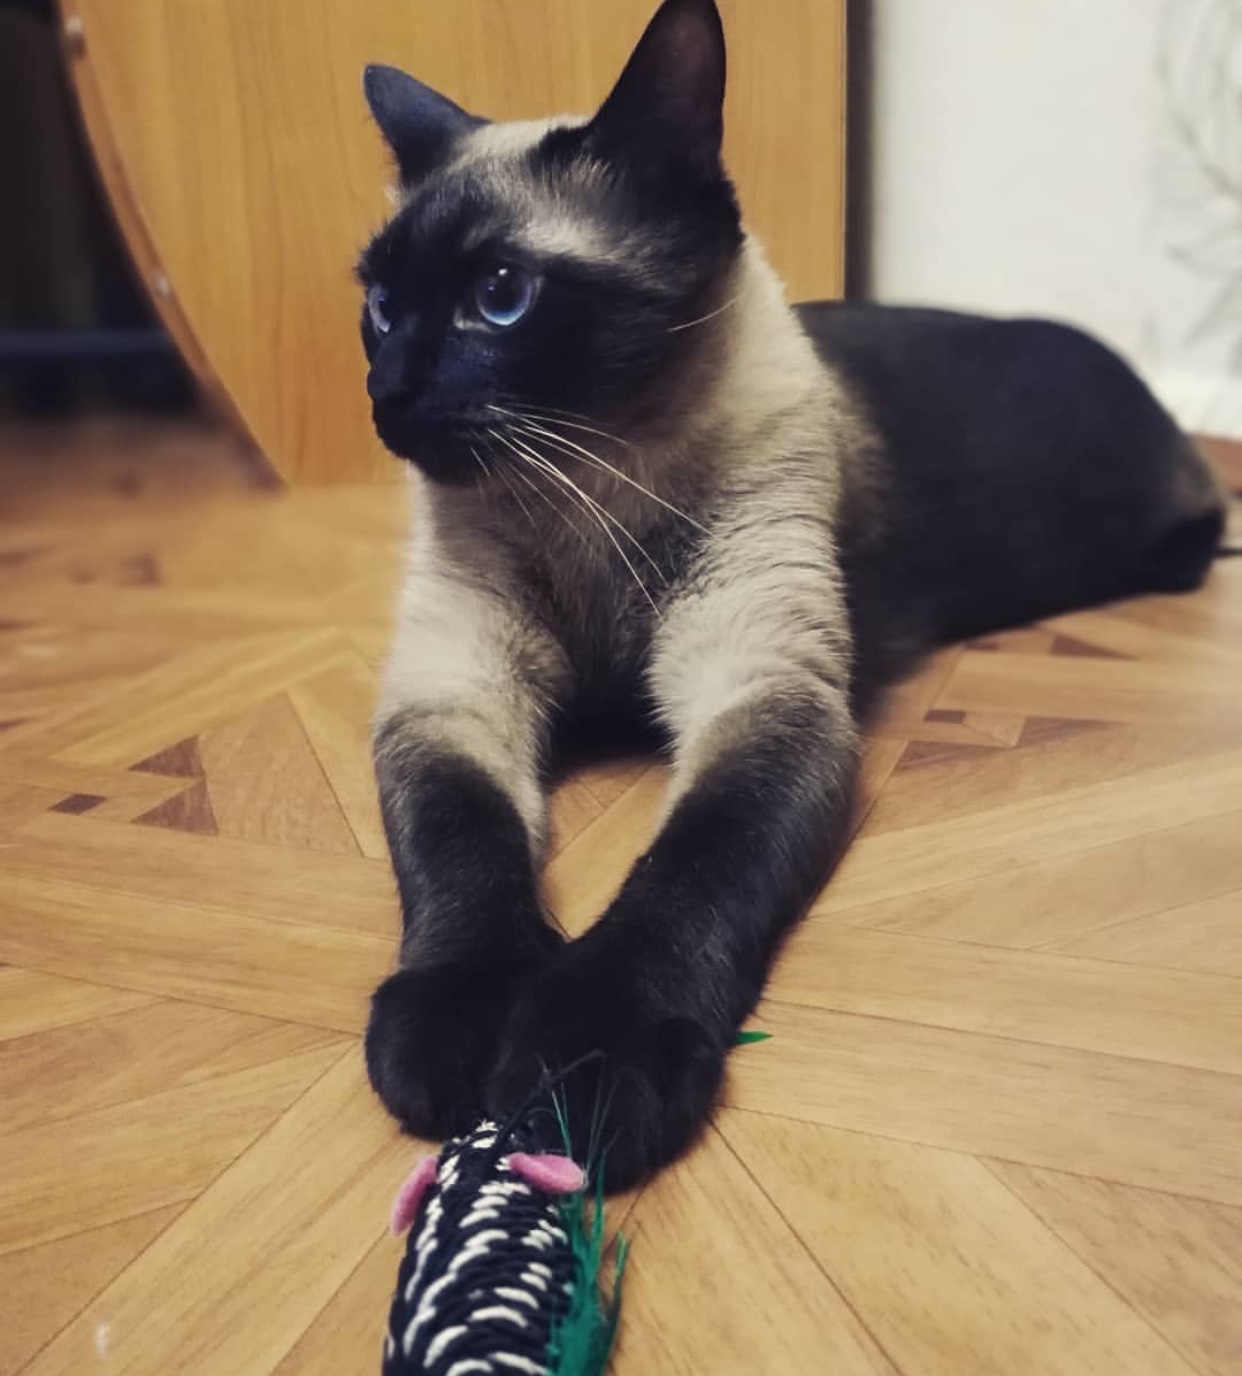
[{"x": 307, "y": 1199}]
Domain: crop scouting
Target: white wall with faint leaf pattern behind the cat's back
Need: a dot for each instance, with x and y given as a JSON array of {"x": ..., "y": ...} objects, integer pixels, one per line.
[{"x": 1079, "y": 159}]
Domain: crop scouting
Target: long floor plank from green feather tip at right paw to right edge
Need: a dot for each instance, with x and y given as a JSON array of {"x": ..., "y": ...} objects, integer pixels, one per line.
[{"x": 1127, "y": 1121}]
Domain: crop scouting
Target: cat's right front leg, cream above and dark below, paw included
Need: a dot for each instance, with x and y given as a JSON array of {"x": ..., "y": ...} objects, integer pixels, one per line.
[{"x": 767, "y": 762}]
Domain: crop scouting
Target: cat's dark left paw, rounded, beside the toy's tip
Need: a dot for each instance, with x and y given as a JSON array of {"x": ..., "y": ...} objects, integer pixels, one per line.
[{"x": 431, "y": 1040}]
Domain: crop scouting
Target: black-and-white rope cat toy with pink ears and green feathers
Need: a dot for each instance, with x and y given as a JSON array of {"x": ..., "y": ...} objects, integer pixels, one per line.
[{"x": 503, "y": 1264}]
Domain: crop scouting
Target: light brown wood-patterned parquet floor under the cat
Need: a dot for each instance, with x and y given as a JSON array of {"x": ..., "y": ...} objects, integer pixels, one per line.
[{"x": 996, "y": 1130}]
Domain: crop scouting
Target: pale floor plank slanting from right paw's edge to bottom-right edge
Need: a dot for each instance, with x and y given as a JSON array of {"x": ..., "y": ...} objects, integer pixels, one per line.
[{"x": 996, "y": 1289}]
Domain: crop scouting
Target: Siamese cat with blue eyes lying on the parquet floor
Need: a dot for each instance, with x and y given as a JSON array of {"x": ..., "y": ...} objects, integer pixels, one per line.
[{"x": 649, "y": 489}]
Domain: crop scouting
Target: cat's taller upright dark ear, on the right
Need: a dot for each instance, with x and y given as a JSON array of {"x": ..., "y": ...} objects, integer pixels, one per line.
[{"x": 666, "y": 109}]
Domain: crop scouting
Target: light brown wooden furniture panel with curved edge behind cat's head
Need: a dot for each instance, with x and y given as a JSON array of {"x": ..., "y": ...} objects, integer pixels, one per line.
[{"x": 246, "y": 173}]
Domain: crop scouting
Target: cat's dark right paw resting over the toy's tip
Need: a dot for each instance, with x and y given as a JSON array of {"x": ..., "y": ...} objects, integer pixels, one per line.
[{"x": 631, "y": 1110}]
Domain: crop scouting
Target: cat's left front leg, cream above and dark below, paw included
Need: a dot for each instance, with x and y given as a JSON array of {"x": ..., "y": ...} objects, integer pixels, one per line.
[{"x": 457, "y": 748}]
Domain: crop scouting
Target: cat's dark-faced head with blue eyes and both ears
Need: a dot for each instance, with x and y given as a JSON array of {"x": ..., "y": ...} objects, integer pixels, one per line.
[{"x": 549, "y": 270}]
